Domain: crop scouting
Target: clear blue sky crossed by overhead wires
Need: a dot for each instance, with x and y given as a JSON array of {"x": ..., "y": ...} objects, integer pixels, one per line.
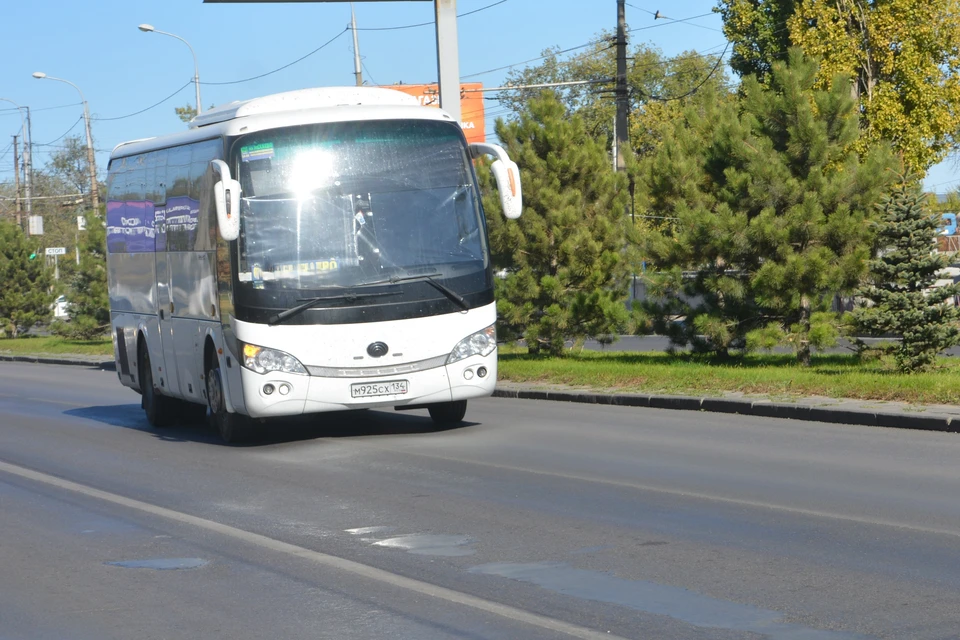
[{"x": 121, "y": 70}]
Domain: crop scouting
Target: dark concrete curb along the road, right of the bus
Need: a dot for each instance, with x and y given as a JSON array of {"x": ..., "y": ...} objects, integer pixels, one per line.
[{"x": 762, "y": 408}]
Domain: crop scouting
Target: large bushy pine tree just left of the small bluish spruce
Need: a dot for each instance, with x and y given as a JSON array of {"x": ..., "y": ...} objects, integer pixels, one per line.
[{"x": 767, "y": 211}]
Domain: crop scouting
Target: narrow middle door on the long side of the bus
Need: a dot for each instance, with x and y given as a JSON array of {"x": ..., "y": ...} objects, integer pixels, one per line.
[{"x": 156, "y": 181}]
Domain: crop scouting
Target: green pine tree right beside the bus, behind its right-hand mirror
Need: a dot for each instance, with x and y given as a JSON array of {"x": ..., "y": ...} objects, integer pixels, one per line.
[{"x": 564, "y": 257}]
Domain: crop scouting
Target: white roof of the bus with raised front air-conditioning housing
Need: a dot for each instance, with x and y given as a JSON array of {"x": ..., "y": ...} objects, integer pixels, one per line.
[{"x": 306, "y": 106}]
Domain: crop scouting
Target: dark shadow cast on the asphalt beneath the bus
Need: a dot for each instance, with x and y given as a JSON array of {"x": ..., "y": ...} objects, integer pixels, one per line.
[{"x": 338, "y": 424}]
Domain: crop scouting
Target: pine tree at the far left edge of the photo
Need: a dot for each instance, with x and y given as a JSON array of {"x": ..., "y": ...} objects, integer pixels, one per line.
[{"x": 24, "y": 282}]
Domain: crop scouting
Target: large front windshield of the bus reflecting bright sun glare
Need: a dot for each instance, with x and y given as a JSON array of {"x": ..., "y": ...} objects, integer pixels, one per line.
[{"x": 340, "y": 204}]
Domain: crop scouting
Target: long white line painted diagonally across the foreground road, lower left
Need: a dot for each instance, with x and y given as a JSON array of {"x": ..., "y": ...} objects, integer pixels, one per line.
[{"x": 317, "y": 557}]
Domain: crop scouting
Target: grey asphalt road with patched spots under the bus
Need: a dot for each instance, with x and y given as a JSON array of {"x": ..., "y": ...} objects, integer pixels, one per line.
[{"x": 535, "y": 520}]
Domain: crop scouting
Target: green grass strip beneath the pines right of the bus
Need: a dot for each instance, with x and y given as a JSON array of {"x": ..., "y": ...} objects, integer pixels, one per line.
[{"x": 778, "y": 376}]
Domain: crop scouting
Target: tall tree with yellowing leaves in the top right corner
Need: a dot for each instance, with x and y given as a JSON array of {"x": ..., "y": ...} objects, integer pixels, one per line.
[{"x": 903, "y": 58}]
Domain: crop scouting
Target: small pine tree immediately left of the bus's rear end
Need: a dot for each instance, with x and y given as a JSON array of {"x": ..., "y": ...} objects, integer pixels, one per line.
[{"x": 89, "y": 304}]
